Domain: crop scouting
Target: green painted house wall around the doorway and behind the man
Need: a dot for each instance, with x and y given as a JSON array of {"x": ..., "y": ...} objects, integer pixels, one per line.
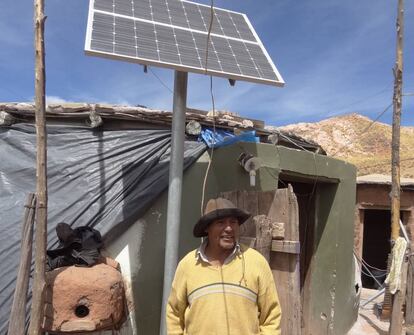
[{"x": 332, "y": 284}]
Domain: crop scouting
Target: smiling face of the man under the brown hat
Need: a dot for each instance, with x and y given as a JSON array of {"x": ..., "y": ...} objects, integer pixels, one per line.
[{"x": 224, "y": 233}]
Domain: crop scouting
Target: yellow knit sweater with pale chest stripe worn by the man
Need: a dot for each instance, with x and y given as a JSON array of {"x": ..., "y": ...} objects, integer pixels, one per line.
[{"x": 238, "y": 298}]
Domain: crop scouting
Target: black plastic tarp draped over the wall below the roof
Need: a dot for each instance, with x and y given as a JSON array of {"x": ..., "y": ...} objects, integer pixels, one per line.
[{"x": 101, "y": 179}]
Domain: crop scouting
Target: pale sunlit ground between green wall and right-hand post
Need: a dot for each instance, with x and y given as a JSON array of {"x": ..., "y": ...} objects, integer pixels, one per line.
[{"x": 368, "y": 323}]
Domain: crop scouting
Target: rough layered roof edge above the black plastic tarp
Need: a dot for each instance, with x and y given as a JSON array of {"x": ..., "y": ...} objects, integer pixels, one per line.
[{"x": 223, "y": 119}]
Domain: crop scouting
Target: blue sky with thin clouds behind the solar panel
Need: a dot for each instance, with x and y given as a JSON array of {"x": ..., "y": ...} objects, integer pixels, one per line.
[{"x": 335, "y": 56}]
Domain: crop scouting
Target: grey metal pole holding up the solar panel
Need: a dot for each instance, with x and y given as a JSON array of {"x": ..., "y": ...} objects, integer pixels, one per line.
[{"x": 174, "y": 190}]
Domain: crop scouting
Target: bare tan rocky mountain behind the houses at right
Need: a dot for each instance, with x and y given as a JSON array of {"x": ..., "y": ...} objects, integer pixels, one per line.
[{"x": 356, "y": 139}]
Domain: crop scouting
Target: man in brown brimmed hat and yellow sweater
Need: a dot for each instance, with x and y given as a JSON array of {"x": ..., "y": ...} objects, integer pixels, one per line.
[{"x": 223, "y": 288}]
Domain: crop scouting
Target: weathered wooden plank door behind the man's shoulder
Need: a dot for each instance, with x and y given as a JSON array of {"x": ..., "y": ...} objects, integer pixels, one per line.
[{"x": 274, "y": 210}]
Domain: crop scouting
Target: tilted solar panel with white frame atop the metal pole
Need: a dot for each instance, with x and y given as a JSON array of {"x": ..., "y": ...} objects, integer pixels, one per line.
[{"x": 174, "y": 34}]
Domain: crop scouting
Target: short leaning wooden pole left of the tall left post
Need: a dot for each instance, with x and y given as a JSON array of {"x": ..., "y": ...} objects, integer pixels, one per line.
[{"x": 17, "y": 318}]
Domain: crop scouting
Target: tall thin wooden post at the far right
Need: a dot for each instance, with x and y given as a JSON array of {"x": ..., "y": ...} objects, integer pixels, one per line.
[{"x": 398, "y": 298}]
